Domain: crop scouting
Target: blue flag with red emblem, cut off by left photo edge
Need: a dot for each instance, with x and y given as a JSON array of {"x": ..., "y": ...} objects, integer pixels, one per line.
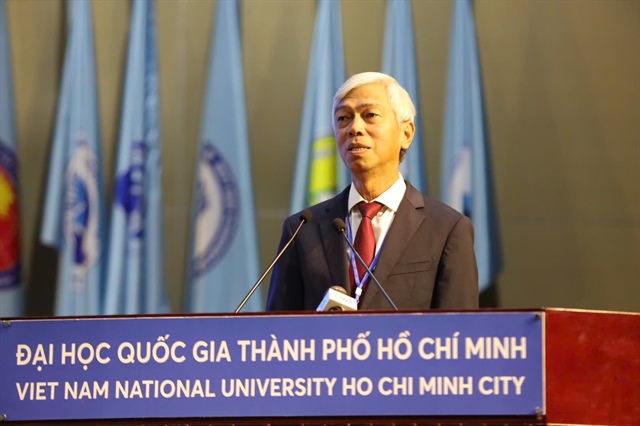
[{"x": 10, "y": 285}]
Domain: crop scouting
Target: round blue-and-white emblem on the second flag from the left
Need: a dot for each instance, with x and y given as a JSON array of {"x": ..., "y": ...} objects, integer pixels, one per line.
[{"x": 81, "y": 226}]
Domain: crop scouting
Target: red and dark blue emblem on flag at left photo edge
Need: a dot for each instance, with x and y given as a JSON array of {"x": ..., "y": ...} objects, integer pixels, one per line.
[{"x": 9, "y": 224}]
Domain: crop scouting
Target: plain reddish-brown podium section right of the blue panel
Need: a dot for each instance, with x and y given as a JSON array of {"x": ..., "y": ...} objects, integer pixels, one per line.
[{"x": 592, "y": 367}]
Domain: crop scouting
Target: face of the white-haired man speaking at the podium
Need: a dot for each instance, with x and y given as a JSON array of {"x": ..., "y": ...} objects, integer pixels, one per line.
[{"x": 367, "y": 132}]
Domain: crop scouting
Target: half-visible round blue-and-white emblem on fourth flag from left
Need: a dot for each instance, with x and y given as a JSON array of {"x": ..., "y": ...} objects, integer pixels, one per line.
[{"x": 217, "y": 209}]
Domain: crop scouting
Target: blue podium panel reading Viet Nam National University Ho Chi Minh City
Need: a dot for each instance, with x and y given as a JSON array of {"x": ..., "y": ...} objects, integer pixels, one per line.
[{"x": 407, "y": 364}]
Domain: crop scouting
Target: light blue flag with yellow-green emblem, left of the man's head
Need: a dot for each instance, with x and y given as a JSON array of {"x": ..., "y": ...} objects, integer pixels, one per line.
[{"x": 320, "y": 173}]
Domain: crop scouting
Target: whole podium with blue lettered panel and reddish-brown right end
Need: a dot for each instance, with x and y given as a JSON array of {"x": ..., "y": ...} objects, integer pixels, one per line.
[{"x": 520, "y": 367}]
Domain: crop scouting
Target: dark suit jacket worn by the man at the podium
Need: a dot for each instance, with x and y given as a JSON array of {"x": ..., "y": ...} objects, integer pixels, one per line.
[{"x": 427, "y": 260}]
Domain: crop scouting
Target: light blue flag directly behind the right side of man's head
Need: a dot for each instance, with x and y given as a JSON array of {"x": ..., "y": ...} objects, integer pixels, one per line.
[{"x": 399, "y": 61}]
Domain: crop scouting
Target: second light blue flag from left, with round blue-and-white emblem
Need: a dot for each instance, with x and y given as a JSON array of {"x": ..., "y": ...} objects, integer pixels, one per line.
[{"x": 74, "y": 217}]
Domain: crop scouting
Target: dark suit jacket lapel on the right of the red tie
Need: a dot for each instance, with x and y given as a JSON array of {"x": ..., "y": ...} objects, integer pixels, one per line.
[{"x": 408, "y": 218}]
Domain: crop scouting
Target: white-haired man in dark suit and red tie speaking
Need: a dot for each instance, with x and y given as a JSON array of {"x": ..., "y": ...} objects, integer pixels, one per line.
[{"x": 423, "y": 254}]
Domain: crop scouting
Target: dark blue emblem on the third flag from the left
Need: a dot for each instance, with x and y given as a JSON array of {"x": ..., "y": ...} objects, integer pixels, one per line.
[{"x": 130, "y": 190}]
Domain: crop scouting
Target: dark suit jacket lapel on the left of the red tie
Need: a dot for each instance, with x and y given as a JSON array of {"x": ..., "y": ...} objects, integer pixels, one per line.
[{"x": 335, "y": 248}]
